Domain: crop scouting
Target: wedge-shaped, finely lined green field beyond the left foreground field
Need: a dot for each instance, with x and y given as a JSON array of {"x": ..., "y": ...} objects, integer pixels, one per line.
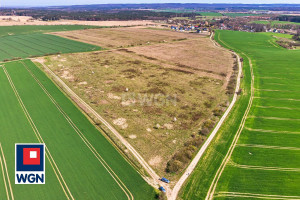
[{"x": 36, "y": 44}]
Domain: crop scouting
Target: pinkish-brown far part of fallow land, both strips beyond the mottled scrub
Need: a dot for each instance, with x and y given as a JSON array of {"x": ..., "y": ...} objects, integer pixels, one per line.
[{"x": 176, "y": 50}]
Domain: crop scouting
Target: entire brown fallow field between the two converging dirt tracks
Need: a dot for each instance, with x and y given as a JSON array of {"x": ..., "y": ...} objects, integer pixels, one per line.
[{"x": 163, "y": 94}]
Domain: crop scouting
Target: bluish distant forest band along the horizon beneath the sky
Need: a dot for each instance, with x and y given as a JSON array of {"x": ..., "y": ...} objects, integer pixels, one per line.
[{"x": 141, "y": 11}]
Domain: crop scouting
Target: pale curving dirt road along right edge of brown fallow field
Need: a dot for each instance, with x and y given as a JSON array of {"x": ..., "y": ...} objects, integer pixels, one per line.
[{"x": 202, "y": 150}]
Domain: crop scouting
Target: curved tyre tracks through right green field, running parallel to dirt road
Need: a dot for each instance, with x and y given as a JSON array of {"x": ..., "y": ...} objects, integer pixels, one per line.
[{"x": 226, "y": 159}]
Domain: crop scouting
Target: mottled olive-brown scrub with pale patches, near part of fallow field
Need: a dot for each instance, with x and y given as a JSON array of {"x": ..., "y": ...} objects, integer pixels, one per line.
[{"x": 186, "y": 98}]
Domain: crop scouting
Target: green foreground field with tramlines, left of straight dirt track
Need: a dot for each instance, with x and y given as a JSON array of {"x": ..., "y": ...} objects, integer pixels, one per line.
[{"x": 82, "y": 164}]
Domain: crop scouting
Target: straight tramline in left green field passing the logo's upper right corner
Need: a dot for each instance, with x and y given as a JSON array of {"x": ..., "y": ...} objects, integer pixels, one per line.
[{"x": 40, "y": 139}]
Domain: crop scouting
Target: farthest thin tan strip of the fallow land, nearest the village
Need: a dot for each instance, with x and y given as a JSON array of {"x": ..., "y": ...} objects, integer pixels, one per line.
[{"x": 124, "y": 37}]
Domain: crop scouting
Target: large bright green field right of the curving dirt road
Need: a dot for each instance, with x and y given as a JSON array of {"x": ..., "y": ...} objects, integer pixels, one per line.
[{"x": 266, "y": 158}]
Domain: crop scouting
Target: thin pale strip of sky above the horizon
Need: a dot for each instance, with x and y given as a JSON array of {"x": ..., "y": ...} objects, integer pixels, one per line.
[{"x": 6, "y": 3}]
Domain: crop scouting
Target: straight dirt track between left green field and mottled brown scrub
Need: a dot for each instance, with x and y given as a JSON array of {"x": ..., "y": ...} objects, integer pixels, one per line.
[{"x": 139, "y": 158}]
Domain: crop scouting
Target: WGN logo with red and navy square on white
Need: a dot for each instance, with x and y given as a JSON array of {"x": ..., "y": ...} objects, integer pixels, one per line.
[{"x": 30, "y": 164}]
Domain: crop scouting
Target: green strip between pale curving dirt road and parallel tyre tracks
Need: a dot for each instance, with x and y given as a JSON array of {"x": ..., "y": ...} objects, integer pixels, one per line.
[{"x": 199, "y": 182}]
